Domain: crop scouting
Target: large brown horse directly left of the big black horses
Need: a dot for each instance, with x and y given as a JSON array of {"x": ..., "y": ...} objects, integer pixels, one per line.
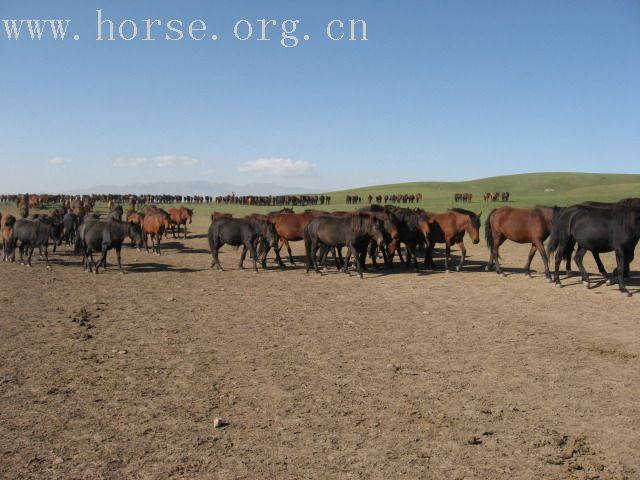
[{"x": 520, "y": 225}]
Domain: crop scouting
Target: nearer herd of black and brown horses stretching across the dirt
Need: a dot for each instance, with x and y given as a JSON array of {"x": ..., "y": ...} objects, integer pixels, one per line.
[{"x": 370, "y": 232}]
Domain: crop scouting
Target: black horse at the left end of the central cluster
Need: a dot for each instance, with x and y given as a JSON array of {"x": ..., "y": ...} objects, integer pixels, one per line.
[{"x": 239, "y": 231}]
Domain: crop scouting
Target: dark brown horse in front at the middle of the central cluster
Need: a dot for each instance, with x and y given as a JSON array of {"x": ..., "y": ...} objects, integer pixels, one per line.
[{"x": 352, "y": 231}]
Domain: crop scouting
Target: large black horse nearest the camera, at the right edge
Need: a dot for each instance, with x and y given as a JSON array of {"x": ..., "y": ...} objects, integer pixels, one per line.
[{"x": 596, "y": 229}]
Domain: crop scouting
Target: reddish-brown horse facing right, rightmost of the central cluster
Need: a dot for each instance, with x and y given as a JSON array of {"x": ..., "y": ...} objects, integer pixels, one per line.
[{"x": 449, "y": 228}]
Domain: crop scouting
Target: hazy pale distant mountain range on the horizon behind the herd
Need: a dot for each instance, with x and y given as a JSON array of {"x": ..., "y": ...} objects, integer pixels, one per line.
[{"x": 192, "y": 188}]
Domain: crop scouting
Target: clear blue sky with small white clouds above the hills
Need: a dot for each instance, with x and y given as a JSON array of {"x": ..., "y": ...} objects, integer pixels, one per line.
[{"x": 442, "y": 90}]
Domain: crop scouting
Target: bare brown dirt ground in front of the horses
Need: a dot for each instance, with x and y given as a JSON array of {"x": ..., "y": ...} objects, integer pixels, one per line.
[{"x": 399, "y": 375}]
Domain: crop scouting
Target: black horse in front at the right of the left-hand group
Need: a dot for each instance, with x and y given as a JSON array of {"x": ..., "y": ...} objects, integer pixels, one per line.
[{"x": 104, "y": 235}]
